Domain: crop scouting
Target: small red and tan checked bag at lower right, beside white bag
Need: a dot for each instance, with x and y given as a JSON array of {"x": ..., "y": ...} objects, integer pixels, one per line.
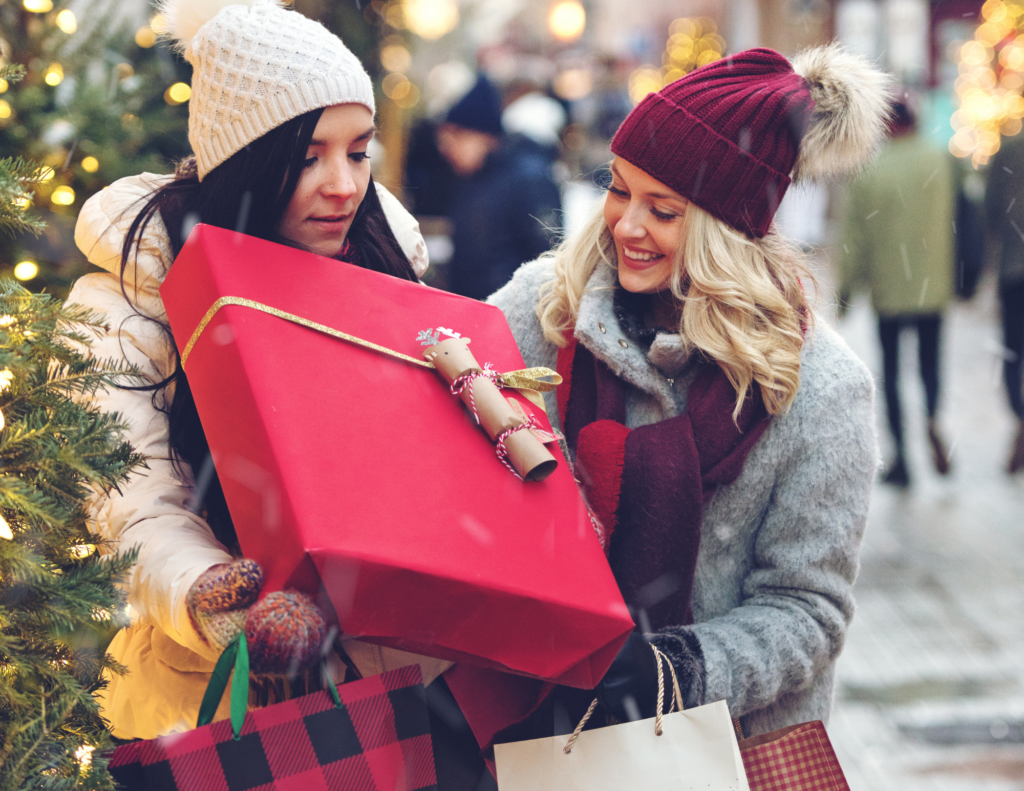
[{"x": 795, "y": 759}]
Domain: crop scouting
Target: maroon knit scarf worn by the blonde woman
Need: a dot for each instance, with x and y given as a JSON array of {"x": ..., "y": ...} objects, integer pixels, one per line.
[{"x": 648, "y": 487}]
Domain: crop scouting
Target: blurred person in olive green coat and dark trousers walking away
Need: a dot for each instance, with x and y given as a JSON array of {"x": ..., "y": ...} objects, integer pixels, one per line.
[{"x": 899, "y": 243}]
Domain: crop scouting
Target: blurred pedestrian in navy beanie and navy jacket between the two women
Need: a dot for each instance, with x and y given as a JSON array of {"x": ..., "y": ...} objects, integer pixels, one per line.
[{"x": 506, "y": 205}]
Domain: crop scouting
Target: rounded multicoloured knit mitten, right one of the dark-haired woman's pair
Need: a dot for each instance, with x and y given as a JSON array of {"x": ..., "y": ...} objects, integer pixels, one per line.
[{"x": 285, "y": 632}]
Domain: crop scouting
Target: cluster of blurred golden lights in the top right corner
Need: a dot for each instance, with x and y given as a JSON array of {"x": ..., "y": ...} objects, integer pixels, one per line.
[{"x": 989, "y": 90}]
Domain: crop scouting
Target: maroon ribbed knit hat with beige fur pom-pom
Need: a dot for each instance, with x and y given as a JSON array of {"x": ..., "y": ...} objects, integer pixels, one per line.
[{"x": 733, "y": 136}]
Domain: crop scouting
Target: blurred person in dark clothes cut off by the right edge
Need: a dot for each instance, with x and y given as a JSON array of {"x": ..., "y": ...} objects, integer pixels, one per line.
[{"x": 1005, "y": 216}]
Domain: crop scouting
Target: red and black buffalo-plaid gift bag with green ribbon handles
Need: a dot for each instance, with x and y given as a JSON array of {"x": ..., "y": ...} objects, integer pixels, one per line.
[{"x": 370, "y": 735}]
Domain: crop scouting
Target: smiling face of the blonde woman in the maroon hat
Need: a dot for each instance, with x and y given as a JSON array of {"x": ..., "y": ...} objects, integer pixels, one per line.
[{"x": 647, "y": 221}]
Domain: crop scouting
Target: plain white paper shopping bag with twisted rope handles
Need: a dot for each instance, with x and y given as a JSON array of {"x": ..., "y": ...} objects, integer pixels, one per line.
[{"x": 696, "y": 752}]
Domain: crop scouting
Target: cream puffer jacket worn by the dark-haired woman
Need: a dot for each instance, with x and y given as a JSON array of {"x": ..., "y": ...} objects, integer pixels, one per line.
[{"x": 169, "y": 664}]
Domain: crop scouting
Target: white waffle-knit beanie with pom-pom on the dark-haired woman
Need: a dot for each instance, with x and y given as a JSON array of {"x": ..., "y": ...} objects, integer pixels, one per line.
[{"x": 255, "y": 67}]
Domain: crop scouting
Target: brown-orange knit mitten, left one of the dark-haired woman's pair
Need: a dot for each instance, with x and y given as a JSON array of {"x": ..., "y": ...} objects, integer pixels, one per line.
[{"x": 220, "y": 599}]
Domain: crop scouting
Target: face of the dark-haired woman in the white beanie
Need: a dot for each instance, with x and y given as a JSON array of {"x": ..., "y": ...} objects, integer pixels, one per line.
[{"x": 334, "y": 182}]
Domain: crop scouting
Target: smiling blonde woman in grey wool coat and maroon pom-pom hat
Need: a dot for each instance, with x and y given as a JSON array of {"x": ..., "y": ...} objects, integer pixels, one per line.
[{"x": 724, "y": 439}]
